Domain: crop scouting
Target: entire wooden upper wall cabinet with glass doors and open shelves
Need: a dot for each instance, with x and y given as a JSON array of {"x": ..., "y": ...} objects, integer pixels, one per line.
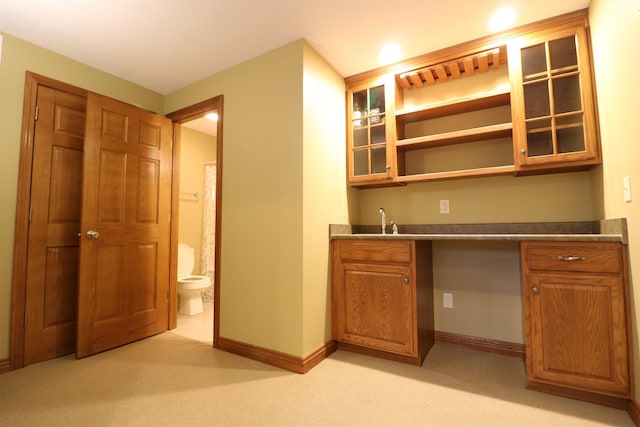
[{"x": 517, "y": 103}]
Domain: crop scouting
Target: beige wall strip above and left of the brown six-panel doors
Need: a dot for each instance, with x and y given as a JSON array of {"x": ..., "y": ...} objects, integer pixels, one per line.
[{"x": 18, "y": 57}]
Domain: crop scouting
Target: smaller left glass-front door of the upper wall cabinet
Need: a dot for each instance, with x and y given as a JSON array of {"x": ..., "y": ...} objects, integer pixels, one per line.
[{"x": 369, "y": 124}]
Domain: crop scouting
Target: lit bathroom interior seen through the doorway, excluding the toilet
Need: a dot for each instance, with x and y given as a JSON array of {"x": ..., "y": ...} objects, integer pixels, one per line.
[{"x": 198, "y": 139}]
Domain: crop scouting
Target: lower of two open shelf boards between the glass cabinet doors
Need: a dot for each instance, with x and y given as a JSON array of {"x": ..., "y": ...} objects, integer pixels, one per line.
[{"x": 502, "y": 130}]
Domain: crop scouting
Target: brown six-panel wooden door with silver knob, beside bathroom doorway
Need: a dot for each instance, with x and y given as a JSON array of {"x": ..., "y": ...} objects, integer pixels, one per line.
[{"x": 126, "y": 201}]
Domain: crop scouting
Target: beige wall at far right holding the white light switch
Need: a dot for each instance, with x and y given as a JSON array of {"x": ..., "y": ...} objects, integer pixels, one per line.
[{"x": 615, "y": 31}]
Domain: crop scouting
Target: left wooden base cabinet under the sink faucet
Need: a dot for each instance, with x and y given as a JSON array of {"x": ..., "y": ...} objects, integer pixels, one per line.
[{"x": 375, "y": 294}]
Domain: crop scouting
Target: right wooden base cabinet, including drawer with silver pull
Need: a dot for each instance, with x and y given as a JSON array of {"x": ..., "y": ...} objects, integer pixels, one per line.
[{"x": 576, "y": 320}]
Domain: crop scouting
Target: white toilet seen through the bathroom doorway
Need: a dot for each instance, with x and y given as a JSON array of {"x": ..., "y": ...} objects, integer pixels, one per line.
[{"x": 190, "y": 287}]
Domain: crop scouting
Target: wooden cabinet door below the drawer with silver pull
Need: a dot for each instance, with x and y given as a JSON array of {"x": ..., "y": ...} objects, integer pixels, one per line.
[{"x": 576, "y": 332}]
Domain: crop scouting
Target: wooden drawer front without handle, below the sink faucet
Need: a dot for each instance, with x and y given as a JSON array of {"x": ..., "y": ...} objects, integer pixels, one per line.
[{"x": 376, "y": 251}]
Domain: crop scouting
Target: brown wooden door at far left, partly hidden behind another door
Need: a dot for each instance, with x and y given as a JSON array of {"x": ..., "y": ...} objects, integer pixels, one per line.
[{"x": 51, "y": 281}]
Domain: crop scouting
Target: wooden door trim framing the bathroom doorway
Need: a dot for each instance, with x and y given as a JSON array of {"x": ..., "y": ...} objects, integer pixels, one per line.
[{"x": 181, "y": 116}]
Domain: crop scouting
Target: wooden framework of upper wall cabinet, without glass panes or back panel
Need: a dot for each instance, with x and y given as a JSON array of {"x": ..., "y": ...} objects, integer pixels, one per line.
[{"x": 455, "y": 63}]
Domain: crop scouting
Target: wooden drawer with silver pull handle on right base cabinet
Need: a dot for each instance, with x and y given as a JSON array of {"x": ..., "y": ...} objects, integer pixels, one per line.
[{"x": 604, "y": 258}]
